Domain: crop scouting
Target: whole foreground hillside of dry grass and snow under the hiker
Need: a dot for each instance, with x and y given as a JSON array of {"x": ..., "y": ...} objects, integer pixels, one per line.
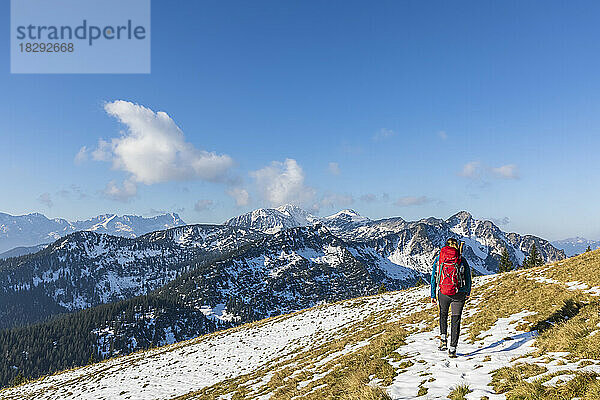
[{"x": 526, "y": 333}]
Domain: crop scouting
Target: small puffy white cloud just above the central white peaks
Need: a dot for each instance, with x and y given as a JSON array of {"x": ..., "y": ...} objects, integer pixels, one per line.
[{"x": 283, "y": 182}]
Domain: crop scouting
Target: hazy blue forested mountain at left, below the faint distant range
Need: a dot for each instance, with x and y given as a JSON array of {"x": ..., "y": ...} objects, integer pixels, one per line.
[{"x": 85, "y": 269}]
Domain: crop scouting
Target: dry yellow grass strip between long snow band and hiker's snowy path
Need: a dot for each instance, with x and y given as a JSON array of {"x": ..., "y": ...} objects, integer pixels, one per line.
[{"x": 348, "y": 376}]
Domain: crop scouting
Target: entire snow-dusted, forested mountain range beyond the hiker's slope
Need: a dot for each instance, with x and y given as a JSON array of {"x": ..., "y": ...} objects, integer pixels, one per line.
[{"x": 111, "y": 295}]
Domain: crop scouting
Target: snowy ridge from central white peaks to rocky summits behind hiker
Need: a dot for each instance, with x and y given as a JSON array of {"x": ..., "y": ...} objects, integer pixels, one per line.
[{"x": 413, "y": 244}]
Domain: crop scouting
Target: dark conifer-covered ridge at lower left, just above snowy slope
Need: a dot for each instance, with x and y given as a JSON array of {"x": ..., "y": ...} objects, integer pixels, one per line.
[{"x": 97, "y": 333}]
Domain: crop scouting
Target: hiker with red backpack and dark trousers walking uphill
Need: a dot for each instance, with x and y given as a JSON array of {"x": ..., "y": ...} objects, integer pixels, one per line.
[{"x": 451, "y": 285}]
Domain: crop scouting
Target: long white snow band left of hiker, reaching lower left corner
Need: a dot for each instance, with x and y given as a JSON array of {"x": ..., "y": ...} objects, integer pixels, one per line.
[{"x": 178, "y": 369}]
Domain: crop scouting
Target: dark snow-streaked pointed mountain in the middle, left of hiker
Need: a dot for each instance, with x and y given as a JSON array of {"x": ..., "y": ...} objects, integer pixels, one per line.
[{"x": 290, "y": 270}]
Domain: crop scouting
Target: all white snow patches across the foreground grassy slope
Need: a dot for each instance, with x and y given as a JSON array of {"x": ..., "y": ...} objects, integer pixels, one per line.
[{"x": 175, "y": 370}]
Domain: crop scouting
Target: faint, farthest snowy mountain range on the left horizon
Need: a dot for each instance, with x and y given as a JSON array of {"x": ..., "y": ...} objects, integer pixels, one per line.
[{"x": 35, "y": 229}]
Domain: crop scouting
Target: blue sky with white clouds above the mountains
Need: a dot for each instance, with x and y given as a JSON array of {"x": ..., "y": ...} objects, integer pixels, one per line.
[{"x": 409, "y": 109}]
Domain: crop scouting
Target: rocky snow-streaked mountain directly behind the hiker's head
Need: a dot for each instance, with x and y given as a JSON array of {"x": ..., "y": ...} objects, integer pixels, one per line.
[{"x": 415, "y": 244}]
